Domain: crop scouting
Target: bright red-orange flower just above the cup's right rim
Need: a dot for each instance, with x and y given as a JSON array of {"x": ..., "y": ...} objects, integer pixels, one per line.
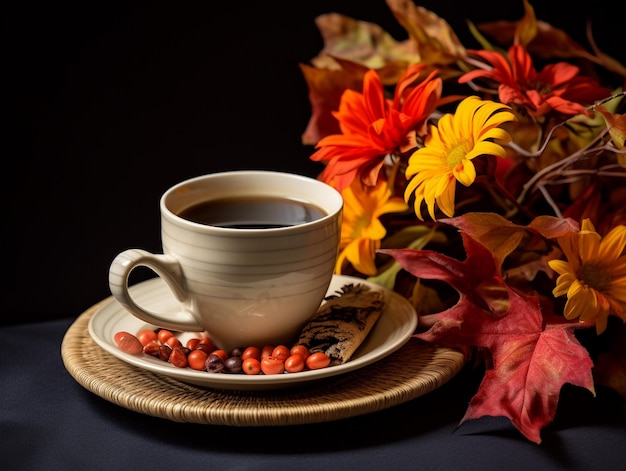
[{"x": 373, "y": 126}]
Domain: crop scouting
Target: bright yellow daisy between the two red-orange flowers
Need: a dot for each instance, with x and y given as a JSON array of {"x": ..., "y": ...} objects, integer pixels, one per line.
[{"x": 448, "y": 152}]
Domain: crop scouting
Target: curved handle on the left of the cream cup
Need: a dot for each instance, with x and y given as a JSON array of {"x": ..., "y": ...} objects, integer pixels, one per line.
[{"x": 168, "y": 268}]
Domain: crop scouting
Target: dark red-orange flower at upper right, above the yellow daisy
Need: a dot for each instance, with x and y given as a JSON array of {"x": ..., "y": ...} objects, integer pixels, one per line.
[{"x": 558, "y": 87}]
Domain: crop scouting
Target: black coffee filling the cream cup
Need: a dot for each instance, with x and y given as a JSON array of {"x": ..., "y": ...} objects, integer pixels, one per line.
[{"x": 252, "y": 212}]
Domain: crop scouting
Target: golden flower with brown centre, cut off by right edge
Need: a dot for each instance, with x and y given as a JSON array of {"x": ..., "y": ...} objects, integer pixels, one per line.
[{"x": 594, "y": 275}]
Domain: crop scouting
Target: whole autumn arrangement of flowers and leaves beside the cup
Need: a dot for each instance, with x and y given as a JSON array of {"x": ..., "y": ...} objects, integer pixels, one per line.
[{"x": 488, "y": 187}]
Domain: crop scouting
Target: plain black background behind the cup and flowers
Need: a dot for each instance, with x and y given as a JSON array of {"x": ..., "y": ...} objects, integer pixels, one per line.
[{"x": 109, "y": 104}]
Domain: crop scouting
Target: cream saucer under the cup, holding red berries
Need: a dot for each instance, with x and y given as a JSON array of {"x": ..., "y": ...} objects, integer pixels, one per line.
[{"x": 393, "y": 329}]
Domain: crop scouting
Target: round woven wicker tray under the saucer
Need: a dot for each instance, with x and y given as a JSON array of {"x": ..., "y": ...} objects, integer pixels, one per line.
[{"x": 415, "y": 369}]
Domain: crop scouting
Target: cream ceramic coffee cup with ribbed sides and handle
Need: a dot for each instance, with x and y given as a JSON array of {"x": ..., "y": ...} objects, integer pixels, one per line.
[{"x": 243, "y": 286}]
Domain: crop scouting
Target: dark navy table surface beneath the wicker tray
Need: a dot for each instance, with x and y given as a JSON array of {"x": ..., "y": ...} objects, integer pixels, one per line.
[{"x": 48, "y": 421}]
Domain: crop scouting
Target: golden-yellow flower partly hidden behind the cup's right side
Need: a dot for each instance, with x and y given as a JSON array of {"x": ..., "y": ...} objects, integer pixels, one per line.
[{"x": 361, "y": 228}]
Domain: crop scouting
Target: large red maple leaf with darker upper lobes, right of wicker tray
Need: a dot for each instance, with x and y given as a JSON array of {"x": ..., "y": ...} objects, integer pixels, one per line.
[{"x": 533, "y": 353}]
